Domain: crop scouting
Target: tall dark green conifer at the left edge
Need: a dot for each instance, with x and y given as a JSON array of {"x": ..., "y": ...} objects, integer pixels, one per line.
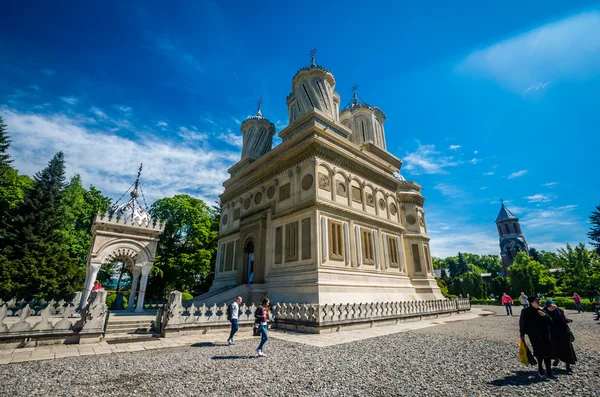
[{"x": 35, "y": 262}]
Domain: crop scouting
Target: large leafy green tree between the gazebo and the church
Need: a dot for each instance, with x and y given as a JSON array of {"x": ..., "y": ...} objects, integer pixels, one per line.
[{"x": 186, "y": 253}]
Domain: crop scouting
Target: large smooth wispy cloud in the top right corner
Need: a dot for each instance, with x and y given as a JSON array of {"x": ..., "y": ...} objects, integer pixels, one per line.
[{"x": 560, "y": 50}]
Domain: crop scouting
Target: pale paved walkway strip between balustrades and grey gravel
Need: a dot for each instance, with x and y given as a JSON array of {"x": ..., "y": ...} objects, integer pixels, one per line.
[{"x": 219, "y": 337}]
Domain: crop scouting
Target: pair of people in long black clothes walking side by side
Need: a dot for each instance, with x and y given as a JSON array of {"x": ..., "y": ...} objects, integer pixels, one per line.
[{"x": 549, "y": 334}]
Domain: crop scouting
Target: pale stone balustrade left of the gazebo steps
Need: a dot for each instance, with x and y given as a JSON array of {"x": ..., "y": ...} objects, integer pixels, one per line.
[{"x": 39, "y": 322}]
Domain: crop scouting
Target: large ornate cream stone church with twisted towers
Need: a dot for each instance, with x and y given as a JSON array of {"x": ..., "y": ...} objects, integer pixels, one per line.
[{"x": 324, "y": 217}]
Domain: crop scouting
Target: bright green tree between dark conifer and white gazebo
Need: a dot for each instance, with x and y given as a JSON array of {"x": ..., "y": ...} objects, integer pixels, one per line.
[{"x": 80, "y": 208}]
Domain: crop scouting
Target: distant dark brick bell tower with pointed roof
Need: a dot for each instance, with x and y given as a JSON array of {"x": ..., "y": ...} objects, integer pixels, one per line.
[{"x": 512, "y": 240}]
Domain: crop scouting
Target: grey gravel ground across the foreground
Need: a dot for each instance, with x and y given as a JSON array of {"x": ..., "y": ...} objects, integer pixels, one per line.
[{"x": 467, "y": 358}]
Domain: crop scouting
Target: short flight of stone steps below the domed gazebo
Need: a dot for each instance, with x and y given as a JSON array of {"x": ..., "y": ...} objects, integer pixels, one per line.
[{"x": 126, "y": 327}]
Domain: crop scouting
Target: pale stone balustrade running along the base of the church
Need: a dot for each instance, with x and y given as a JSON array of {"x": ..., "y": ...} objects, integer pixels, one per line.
[{"x": 303, "y": 317}]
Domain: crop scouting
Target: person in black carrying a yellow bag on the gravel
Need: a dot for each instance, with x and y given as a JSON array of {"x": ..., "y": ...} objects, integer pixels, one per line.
[{"x": 535, "y": 323}]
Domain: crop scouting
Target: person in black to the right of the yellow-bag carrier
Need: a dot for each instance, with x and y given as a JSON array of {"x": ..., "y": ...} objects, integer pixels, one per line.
[{"x": 561, "y": 336}]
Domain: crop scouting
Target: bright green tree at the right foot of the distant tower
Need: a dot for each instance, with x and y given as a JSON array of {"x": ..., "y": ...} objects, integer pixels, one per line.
[{"x": 529, "y": 276}]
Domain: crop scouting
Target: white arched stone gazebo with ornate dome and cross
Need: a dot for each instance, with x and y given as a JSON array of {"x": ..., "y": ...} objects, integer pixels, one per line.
[{"x": 128, "y": 234}]
